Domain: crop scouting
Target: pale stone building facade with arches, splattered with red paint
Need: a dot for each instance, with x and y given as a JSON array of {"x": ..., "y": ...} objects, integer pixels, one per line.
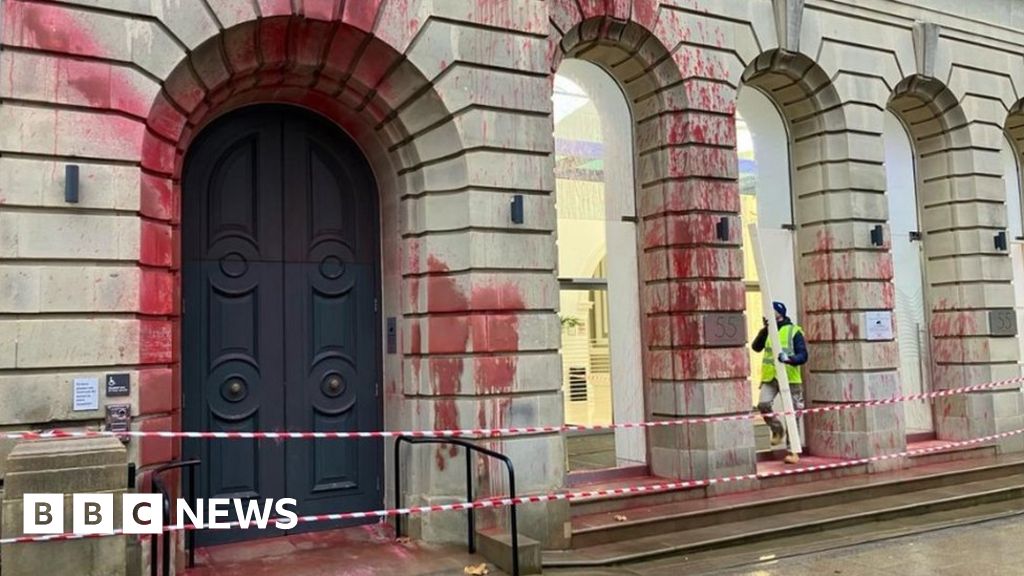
[{"x": 449, "y": 104}]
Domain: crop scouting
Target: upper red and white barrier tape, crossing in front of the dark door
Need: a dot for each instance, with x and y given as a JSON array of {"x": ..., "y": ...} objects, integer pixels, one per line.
[{"x": 496, "y": 433}]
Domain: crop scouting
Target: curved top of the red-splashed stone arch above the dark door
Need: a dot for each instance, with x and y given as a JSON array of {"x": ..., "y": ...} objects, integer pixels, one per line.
[{"x": 304, "y": 62}]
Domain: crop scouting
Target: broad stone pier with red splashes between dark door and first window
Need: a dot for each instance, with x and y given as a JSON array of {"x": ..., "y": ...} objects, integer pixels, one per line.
[{"x": 480, "y": 330}]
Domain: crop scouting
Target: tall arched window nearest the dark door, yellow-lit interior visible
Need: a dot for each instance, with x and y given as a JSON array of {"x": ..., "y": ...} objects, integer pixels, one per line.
[{"x": 600, "y": 294}]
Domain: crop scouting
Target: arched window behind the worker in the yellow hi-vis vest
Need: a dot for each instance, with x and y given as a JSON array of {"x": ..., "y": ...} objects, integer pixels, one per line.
[{"x": 766, "y": 199}]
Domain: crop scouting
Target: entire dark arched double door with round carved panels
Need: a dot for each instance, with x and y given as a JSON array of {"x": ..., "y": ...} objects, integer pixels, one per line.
[{"x": 281, "y": 311}]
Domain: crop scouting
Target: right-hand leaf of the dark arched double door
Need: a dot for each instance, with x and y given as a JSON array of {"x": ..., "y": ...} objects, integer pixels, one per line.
[{"x": 334, "y": 295}]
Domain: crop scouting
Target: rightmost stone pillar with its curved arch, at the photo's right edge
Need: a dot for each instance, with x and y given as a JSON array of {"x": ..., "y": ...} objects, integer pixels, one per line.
[{"x": 962, "y": 203}]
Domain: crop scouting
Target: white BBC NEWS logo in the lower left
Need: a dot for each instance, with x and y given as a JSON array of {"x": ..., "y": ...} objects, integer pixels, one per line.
[{"x": 143, "y": 514}]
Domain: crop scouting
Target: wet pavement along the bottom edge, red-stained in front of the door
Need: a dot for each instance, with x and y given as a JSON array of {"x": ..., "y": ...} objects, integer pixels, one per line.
[{"x": 988, "y": 549}]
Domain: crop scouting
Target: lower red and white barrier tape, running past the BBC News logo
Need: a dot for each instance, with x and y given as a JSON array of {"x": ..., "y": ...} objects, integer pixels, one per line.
[{"x": 585, "y": 496}]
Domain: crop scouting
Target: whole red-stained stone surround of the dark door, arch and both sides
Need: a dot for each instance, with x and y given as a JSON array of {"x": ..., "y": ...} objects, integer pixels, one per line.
[{"x": 335, "y": 65}]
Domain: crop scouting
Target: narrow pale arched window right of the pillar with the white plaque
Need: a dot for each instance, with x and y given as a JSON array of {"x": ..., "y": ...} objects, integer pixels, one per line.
[{"x": 909, "y": 273}]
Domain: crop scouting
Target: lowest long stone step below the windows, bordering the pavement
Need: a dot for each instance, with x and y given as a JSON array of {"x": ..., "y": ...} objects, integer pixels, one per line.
[{"x": 592, "y": 532}]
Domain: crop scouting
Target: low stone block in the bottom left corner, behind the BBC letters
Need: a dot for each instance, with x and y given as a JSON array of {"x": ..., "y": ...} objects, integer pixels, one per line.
[{"x": 68, "y": 467}]
